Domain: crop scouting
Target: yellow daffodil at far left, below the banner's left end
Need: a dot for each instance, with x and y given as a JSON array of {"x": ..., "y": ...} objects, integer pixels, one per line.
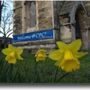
[{"x": 12, "y": 54}]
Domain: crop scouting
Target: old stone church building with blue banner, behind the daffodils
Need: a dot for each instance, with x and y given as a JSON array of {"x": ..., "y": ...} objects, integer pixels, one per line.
[{"x": 39, "y": 24}]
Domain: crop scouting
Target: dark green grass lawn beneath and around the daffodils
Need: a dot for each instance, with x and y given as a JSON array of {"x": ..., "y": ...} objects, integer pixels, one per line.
[{"x": 28, "y": 71}]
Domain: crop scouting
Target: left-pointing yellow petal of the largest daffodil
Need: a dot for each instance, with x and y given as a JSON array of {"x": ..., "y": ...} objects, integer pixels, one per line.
[{"x": 55, "y": 55}]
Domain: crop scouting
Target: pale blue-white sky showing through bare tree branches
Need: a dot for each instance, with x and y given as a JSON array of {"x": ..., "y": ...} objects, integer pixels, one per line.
[{"x": 5, "y": 10}]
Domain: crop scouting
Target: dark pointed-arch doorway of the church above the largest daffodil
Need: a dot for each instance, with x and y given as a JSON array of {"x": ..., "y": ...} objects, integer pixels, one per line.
[{"x": 81, "y": 26}]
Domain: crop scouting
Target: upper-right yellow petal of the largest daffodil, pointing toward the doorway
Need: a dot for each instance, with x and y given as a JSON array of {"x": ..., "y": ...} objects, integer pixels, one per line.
[{"x": 75, "y": 45}]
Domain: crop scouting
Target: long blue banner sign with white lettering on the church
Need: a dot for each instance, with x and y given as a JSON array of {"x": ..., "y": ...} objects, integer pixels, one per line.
[{"x": 34, "y": 36}]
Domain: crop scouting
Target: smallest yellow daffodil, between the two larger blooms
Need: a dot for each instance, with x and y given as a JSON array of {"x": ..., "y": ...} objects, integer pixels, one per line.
[{"x": 40, "y": 55}]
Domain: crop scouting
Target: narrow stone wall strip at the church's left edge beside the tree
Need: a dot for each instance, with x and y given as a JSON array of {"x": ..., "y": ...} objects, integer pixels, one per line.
[{"x": 17, "y": 17}]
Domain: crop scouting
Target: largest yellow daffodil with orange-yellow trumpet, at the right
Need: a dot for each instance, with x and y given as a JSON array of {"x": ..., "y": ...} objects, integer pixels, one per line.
[{"x": 67, "y": 55}]
